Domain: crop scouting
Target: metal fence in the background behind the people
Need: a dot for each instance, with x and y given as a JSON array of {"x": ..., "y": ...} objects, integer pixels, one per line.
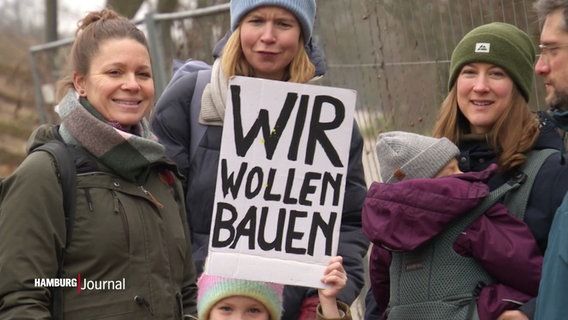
[{"x": 395, "y": 53}]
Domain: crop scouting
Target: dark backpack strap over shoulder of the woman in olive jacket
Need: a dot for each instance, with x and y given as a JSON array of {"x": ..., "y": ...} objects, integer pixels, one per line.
[{"x": 66, "y": 172}]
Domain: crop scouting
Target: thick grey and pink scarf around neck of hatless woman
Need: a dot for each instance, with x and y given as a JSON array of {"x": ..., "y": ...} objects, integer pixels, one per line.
[{"x": 128, "y": 155}]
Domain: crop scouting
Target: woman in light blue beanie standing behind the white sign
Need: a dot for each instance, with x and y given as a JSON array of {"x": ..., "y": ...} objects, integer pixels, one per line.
[{"x": 269, "y": 39}]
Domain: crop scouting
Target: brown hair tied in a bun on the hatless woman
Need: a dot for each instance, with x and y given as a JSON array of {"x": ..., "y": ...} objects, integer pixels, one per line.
[{"x": 95, "y": 28}]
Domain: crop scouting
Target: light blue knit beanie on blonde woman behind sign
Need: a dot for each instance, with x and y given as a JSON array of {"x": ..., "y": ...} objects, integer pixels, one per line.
[{"x": 304, "y": 10}]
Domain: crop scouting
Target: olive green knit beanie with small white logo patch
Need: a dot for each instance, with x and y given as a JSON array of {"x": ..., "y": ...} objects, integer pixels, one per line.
[{"x": 501, "y": 44}]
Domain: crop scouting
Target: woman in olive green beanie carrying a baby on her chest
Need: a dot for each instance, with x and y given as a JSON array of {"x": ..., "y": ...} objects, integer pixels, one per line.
[{"x": 486, "y": 114}]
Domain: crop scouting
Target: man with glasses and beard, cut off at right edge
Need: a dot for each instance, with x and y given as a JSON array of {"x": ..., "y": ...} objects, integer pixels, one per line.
[{"x": 552, "y": 65}]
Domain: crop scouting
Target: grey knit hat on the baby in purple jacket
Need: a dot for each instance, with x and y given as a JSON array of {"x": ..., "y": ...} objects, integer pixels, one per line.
[{"x": 406, "y": 155}]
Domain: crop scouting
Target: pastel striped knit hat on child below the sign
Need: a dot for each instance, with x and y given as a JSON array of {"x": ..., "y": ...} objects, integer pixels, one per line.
[{"x": 212, "y": 289}]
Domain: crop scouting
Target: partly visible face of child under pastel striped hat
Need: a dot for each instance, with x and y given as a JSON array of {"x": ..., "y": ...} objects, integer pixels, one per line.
[{"x": 239, "y": 308}]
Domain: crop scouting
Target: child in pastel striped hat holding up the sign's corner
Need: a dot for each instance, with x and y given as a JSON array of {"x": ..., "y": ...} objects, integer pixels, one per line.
[{"x": 227, "y": 298}]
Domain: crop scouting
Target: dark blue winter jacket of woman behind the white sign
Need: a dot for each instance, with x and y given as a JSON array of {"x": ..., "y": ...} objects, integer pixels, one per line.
[{"x": 171, "y": 124}]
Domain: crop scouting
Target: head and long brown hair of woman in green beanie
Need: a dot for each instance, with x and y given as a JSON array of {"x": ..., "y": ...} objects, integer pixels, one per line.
[{"x": 491, "y": 73}]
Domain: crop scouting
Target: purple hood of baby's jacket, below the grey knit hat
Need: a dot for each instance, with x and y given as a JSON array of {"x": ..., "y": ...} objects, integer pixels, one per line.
[{"x": 404, "y": 215}]
